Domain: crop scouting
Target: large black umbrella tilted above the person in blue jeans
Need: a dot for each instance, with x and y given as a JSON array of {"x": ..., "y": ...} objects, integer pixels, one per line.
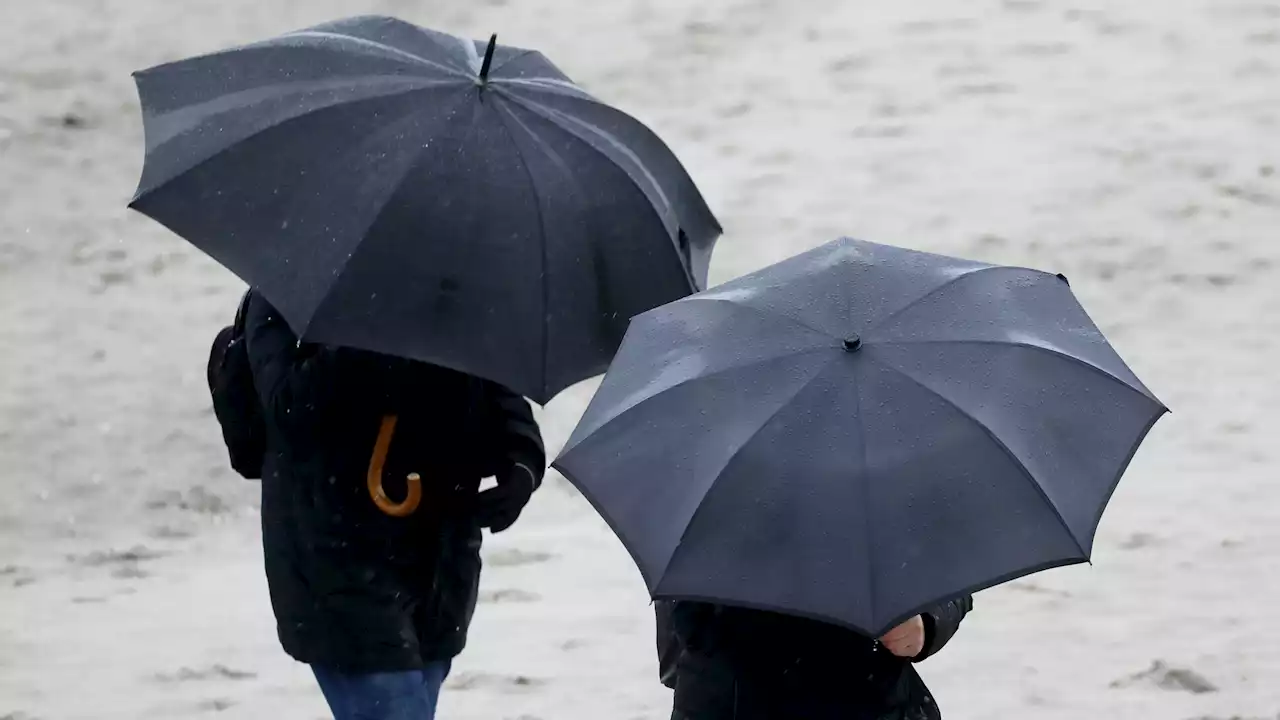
[{"x": 406, "y": 192}]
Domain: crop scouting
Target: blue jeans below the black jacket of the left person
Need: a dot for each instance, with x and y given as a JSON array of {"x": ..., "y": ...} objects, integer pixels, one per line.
[{"x": 383, "y": 696}]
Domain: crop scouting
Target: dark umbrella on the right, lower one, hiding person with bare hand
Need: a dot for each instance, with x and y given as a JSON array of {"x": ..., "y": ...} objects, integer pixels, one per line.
[{"x": 858, "y": 434}]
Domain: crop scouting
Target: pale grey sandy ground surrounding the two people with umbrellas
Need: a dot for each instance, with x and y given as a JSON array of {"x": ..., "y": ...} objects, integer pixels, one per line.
[{"x": 1133, "y": 145}]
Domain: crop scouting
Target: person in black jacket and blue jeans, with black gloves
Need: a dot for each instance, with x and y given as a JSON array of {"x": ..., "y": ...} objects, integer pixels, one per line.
[{"x": 380, "y": 605}]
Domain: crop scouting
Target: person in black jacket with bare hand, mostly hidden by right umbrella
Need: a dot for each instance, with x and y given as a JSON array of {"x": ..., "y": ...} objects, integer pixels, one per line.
[{"x": 737, "y": 664}]
